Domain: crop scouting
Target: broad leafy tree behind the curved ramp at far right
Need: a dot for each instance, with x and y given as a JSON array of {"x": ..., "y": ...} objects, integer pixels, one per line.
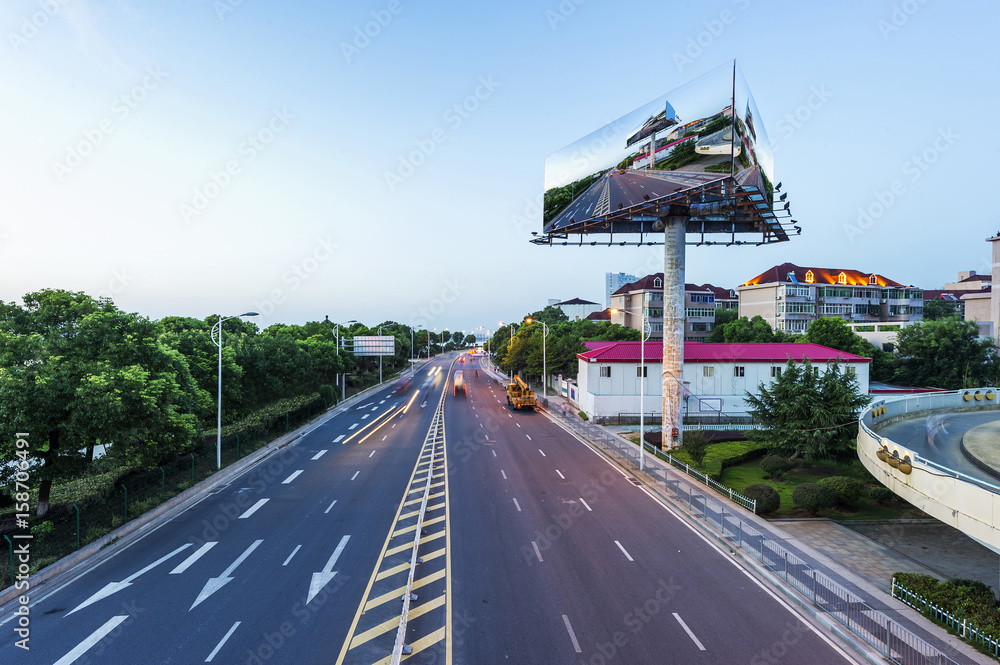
[{"x": 945, "y": 353}]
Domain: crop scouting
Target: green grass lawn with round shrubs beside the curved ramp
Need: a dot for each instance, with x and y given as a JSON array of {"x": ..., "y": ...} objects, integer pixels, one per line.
[{"x": 749, "y": 473}]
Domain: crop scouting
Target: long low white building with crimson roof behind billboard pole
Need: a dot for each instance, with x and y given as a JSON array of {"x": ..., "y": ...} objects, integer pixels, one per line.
[{"x": 716, "y": 377}]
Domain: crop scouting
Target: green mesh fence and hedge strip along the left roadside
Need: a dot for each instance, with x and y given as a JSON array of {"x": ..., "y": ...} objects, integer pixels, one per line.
[{"x": 110, "y": 502}]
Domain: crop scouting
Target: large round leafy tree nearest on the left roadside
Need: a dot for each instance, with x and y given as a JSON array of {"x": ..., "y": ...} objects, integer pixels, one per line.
[{"x": 76, "y": 373}]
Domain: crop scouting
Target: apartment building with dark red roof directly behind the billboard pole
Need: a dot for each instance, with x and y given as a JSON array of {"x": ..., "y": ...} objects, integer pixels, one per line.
[{"x": 646, "y": 295}]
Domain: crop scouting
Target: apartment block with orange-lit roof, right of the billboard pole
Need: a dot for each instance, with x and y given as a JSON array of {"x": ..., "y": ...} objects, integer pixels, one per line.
[{"x": 790, "y": 297}]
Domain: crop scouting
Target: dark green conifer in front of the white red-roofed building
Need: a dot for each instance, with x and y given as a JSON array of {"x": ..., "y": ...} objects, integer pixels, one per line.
[{"x": 805, "y": 413}]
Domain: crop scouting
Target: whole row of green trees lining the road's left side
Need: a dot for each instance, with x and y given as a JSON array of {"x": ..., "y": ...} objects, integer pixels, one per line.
[{"x": 77, "y": 373}]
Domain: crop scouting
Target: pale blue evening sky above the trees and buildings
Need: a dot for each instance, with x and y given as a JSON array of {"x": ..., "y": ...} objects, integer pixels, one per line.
[{"x": 383, "y": 159}]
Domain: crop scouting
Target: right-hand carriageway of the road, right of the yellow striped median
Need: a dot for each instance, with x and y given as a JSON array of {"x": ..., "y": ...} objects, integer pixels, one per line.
[{"x": 559, "y": 558}]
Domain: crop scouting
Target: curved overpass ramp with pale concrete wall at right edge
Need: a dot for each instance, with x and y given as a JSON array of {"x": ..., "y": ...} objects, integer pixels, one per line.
[{"x": 914, "y": 446}]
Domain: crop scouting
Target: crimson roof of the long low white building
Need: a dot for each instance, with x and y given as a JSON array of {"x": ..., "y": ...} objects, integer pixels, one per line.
[{"x": 706, "y": 352}]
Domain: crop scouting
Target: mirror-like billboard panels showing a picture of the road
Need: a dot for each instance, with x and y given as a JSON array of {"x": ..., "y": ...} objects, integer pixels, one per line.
[{"x": 704, "y": 132}]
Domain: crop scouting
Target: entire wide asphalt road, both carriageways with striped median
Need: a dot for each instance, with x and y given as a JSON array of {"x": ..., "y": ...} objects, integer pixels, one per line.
[{"x": 534, "y": 549}]
